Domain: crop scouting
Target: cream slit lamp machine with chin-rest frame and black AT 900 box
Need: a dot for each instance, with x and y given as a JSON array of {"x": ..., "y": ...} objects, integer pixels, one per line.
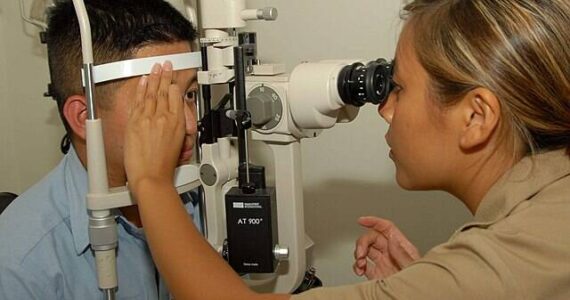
[{"x": 251, "y": 207}]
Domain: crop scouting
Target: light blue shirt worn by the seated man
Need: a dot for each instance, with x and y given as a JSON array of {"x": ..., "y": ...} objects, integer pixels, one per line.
[{"x": 44, "y": 244}]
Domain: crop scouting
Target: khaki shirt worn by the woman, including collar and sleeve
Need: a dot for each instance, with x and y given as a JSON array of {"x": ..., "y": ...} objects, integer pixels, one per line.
[{"x": 518, "y": 246}]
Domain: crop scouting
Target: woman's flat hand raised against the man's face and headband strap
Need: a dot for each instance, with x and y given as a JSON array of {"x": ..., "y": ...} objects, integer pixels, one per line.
[{"x": 155, "y": 129}]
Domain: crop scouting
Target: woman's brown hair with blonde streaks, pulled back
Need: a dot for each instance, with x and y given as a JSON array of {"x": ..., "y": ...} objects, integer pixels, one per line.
[{"x": 518, "y": 49}]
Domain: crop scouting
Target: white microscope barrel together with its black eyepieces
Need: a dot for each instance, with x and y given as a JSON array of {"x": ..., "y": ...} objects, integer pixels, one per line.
[{"x": 321, "y": 94}]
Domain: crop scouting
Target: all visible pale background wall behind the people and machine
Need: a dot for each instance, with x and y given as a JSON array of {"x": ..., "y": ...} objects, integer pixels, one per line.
[{"x": 346, "y": 170}]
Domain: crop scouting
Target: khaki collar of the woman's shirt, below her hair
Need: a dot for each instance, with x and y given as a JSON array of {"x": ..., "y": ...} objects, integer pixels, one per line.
[{"x": 522, "y": 182}]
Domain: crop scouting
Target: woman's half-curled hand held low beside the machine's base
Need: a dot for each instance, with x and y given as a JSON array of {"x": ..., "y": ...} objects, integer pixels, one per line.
[{"x": 383, "y": 250}]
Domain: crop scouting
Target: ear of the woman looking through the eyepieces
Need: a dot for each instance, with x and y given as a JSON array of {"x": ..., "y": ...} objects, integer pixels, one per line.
[{"x": 481, "y": 113}]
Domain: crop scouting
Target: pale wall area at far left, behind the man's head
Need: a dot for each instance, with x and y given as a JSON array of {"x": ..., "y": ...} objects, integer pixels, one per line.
[{"x": 30, "y": 126}]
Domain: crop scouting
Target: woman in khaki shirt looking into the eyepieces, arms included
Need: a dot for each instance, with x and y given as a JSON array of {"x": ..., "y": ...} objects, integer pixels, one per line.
[{"x": 481, "y": 110}]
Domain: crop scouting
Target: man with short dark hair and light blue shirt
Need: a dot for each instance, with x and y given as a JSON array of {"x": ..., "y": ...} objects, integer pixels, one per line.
[{"x": 45, "y": 251}]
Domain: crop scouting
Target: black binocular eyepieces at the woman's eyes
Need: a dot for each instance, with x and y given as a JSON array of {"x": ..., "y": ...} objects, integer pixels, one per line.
[{"x": 359, "y": 84}]
